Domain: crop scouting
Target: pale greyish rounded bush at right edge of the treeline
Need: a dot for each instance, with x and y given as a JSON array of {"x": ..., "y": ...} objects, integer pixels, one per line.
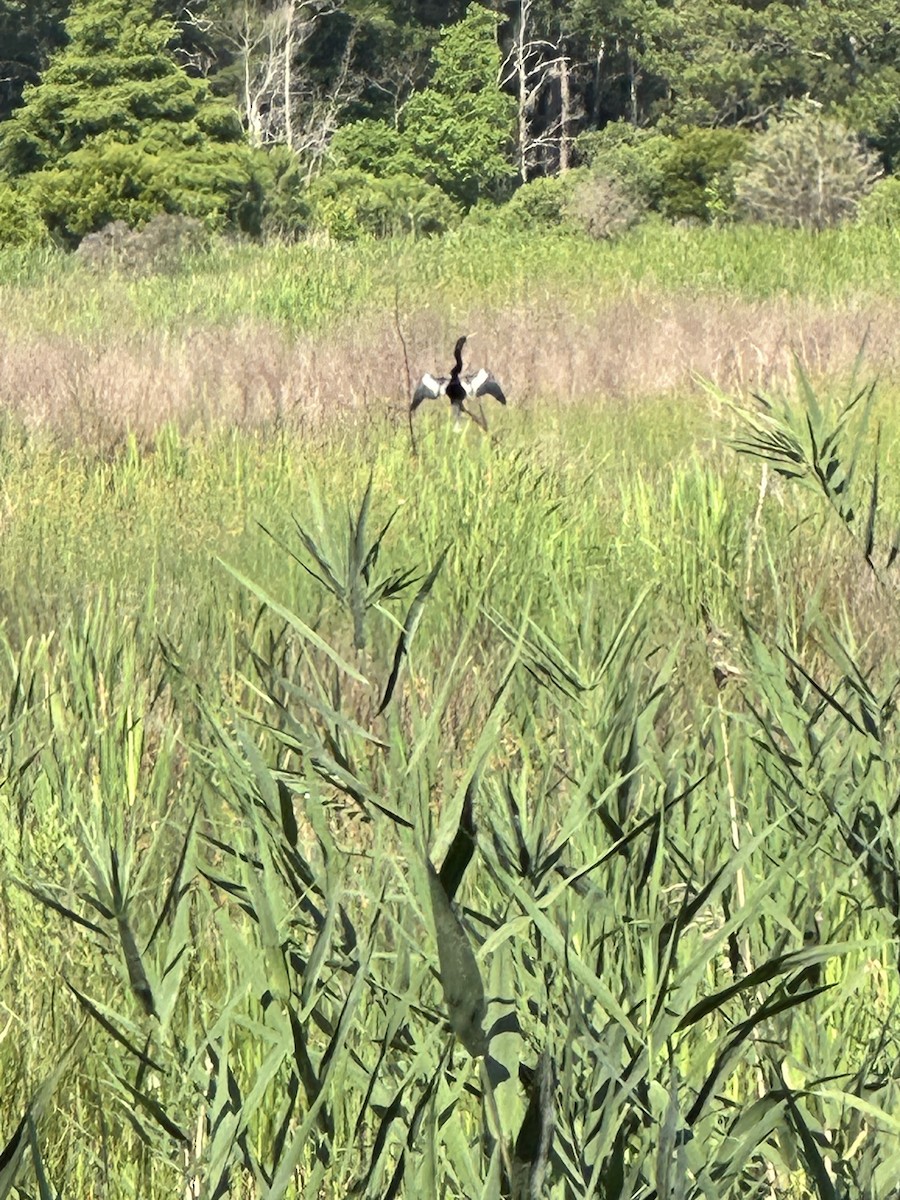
[{"x": 806, "y": 171}]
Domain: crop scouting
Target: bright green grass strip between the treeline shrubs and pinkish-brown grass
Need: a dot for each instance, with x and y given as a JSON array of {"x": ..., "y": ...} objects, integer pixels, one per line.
[{"x": 305, "y": 287}]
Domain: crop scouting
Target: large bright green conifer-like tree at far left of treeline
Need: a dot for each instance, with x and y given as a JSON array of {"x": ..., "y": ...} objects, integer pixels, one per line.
[{"x": 117, "y": 130}]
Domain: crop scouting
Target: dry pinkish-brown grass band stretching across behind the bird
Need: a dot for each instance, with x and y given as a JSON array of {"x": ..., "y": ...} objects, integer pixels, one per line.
[{"x": 255, "y": 375}]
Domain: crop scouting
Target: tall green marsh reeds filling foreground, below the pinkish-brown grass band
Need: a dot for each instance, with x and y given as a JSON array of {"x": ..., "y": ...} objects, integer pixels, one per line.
[{"x": 668, "y": 920}]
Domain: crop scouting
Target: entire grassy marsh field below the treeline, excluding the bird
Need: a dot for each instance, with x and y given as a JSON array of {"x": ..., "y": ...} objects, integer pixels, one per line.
[{"x": 515, "y": 818}]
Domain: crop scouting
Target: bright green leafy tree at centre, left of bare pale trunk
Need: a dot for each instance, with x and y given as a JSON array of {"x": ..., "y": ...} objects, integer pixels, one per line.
[{"x": 461, "y": 128}]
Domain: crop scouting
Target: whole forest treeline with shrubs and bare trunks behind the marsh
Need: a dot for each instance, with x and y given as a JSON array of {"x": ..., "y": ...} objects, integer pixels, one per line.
[{"x": 379, "y": 117}]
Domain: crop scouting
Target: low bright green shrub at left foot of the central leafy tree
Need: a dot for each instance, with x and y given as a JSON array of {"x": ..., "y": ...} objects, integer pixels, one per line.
[{"x": 351, "y": 205}]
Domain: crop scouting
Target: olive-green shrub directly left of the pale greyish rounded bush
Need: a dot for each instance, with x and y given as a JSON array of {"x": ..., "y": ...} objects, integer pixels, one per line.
[{"x": 697, "y": 173}]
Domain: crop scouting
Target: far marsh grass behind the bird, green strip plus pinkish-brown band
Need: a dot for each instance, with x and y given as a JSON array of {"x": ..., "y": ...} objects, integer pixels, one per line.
[{"x": 302, "y": 337}]
